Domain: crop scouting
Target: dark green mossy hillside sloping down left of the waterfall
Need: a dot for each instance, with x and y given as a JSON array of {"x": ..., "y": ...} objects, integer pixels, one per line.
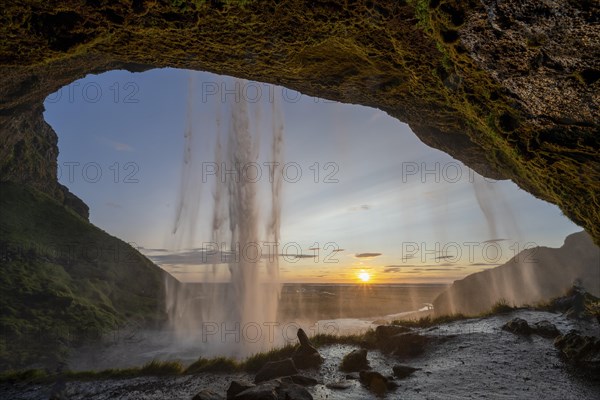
[{"x": 64, "y": 282}]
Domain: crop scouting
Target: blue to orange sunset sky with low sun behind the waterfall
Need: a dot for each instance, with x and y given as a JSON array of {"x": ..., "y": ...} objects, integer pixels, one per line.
[{"x": 391, "y": 207}]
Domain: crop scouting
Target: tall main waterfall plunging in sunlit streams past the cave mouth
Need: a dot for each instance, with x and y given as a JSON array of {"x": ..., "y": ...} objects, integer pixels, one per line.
[{"x": 236, "y": 317}]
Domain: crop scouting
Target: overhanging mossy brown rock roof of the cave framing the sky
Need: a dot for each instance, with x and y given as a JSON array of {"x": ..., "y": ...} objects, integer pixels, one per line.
[{"x": 510, "y": 88}]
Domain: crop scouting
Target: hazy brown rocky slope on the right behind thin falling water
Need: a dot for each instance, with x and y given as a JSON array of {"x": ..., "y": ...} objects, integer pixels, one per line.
[{"x": 532, "y": 276}]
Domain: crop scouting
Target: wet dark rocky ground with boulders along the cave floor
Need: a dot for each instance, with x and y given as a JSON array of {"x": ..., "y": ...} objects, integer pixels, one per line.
[{"x": 477, "y": 358}]
